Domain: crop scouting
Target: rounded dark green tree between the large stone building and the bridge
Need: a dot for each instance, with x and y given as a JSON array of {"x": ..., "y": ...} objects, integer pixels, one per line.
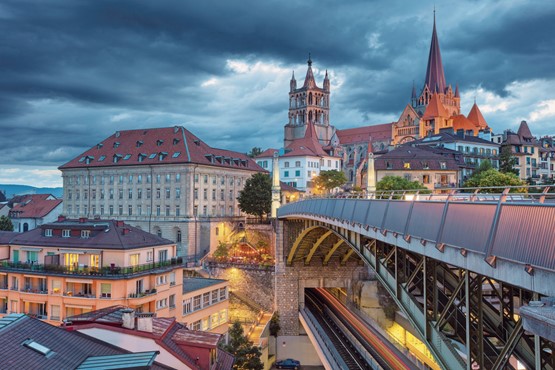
[{"x": 256, "y": 196}]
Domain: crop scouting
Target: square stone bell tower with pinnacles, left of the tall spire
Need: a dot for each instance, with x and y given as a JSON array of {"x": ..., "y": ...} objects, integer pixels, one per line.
[{"x": 309, "y": 103}]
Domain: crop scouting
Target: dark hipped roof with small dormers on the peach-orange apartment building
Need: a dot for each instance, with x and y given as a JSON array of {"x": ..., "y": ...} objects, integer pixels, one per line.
[{"x": 104, "y": 234}]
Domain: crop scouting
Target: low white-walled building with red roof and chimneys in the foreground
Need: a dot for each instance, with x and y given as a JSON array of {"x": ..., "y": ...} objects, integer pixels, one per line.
[{"x": 177, "y": 346}]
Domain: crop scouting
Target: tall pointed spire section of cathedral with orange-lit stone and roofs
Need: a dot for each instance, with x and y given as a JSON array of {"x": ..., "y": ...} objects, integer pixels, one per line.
[{"x": 437, "y": 107}]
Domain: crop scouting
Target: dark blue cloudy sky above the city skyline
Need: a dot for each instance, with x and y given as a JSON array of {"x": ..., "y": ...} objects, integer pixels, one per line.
[{"x": 72, "y": 72}]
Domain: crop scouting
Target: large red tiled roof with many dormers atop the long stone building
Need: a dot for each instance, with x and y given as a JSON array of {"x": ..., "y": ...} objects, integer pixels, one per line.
[{"x": 167, "y": 145}]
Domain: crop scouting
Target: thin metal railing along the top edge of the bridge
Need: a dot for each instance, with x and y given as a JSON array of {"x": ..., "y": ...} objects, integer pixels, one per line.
[{"x": 522, "y": 193}]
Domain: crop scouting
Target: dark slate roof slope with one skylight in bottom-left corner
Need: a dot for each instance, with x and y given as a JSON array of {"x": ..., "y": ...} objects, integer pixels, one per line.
[{"x": 61, "y": 349}]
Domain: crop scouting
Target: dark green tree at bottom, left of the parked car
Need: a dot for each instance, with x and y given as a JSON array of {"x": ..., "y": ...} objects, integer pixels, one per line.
[{"x": 247, "y": 356}]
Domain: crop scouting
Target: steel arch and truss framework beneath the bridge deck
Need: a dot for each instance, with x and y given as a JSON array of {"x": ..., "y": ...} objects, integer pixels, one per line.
[{"x": 468, "y": 321}]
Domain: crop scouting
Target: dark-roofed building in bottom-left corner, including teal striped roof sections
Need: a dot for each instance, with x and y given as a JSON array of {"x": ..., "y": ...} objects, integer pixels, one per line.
[{"x": 28, "y": 343}]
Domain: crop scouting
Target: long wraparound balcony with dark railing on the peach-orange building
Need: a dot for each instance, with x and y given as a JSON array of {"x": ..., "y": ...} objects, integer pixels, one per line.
[{"x": 108, "y": 272}]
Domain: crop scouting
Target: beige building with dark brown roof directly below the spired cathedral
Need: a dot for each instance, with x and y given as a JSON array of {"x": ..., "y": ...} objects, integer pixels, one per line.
[{"x": 432, "y": 167}]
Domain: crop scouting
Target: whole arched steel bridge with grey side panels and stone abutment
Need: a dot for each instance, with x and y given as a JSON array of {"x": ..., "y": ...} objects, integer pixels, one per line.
[{"x": 468, "y": 270}]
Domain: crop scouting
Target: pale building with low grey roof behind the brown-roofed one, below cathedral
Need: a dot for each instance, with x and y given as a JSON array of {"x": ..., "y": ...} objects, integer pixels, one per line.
[{"x": 474, "y": 149}]
